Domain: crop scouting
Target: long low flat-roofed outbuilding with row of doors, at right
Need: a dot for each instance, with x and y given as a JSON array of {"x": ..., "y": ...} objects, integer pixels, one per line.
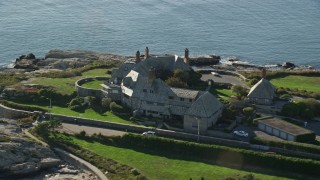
[{"x": 286, "y": 130}]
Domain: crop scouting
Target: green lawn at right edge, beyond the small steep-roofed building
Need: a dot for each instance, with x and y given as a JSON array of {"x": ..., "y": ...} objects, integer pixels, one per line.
[{"x": 307, "y": 83}]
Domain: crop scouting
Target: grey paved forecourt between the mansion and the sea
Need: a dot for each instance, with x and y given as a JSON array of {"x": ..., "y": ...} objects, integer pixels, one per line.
[{"x": 223, "y": 79}]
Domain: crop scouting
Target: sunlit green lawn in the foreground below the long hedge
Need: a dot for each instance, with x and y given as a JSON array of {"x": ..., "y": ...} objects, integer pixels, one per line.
[{"x": 159, "y": 167}]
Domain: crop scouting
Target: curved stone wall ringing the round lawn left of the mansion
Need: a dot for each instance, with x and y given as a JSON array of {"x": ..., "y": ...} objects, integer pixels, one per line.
[{"x": 82, "y": 91}]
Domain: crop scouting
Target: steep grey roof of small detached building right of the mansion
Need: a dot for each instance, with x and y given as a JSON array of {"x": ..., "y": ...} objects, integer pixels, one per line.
[{"x": 263, "y": 90}]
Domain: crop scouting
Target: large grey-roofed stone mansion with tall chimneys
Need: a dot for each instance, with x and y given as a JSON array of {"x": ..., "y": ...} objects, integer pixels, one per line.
[{"x": 136, "y": 84}]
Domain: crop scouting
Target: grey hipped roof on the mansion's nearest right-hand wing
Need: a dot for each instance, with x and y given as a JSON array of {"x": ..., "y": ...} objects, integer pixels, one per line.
[{"x": 204, "y": 106}]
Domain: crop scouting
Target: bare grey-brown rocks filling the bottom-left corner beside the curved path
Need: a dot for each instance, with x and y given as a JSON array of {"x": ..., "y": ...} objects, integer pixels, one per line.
[{"x": 22, "y": 158}]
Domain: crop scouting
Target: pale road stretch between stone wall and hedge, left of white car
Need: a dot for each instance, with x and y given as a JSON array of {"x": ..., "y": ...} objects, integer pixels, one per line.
[{"x": 74, "y": 128}]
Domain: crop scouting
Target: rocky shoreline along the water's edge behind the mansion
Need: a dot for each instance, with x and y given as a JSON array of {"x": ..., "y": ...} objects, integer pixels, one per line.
[{"x": 65, "y": 59}]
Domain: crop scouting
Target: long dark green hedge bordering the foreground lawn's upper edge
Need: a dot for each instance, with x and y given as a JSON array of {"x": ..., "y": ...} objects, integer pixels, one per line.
[{"x": 214, "y": 153}]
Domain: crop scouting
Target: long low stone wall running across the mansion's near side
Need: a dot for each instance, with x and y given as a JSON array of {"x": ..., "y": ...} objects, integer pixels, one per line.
[{"x": 6, "y": 112}]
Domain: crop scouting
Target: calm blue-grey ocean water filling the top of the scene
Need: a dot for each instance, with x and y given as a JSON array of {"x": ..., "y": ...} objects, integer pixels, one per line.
[{"x": 260, "y": 32}]
